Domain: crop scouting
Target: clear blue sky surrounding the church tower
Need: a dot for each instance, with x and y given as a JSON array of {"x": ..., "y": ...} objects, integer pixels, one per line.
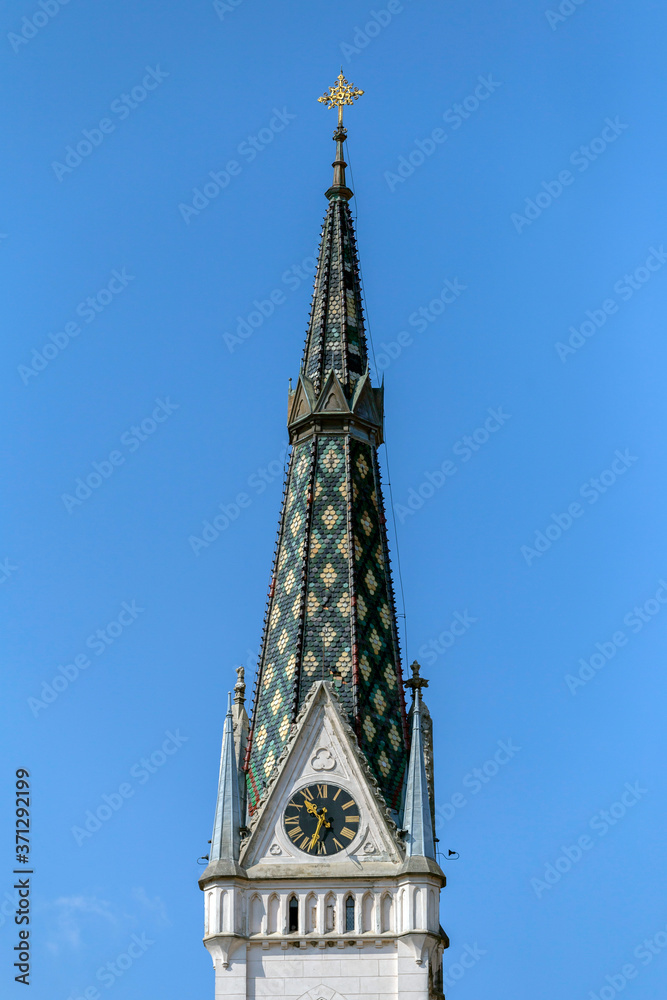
[{"x": 512, "y": 150}]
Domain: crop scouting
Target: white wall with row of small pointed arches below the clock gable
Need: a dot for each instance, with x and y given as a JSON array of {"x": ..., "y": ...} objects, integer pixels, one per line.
[{"x": 391, "y": 952}]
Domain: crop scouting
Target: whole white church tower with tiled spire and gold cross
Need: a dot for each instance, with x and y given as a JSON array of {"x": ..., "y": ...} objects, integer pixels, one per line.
[{"x": 322, "y": 881}]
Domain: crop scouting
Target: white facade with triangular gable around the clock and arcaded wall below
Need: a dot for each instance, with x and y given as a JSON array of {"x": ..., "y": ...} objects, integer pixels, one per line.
[{"x": 396, "y": 944}]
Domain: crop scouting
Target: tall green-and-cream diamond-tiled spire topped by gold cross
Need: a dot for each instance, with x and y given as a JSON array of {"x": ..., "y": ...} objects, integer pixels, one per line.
[{"x": 330, "y": 612}]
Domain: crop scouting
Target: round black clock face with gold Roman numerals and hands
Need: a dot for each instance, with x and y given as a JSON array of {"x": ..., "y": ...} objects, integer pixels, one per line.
[{"x": 321, "y": 819}]
